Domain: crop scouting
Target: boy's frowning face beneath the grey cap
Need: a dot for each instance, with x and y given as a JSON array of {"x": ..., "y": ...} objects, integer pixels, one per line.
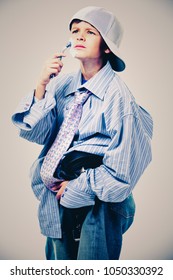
[{"x": 86, "y": 41}]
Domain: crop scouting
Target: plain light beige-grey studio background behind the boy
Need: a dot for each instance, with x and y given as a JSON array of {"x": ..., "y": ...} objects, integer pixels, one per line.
[{"x": 30, "y": 32}]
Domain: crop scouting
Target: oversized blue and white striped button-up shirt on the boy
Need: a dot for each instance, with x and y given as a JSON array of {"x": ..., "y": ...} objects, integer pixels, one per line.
[{"x": 112, "y": 125}]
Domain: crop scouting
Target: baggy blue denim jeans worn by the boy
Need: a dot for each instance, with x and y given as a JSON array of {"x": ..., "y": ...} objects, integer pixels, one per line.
[{"x": 102, "y": 229}]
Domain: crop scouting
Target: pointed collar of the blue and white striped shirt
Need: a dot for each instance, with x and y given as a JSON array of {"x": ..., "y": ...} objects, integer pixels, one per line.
[{"x": 97, "y": 85}]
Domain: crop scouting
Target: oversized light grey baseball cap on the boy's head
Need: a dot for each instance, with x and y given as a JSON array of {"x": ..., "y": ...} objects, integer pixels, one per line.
[{"x": 109, "y": 28}]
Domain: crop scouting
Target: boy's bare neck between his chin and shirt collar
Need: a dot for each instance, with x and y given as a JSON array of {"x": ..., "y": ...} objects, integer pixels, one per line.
[{"x": 90, "y": 68}]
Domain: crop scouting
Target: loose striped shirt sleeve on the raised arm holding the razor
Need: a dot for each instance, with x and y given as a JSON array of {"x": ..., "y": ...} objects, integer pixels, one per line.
[{"x": 35, "y": 118}]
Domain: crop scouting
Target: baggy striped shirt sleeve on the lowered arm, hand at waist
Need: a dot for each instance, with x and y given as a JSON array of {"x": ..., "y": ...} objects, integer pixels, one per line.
[{"x": 126, "y": 158}]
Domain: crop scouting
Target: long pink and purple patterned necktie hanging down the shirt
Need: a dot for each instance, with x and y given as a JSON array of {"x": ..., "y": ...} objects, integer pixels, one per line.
[{"x": 62, "y": 140}]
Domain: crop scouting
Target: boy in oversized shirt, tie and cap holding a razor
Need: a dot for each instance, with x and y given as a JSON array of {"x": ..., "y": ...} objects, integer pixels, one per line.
[{"x": 86, "y": 216}]
